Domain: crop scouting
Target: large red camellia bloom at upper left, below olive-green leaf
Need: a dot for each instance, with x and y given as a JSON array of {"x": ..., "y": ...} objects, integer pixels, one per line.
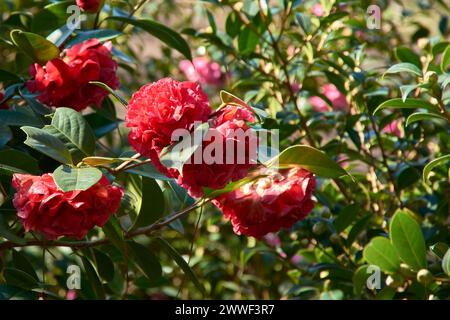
[{"x": 64, "y": 82}]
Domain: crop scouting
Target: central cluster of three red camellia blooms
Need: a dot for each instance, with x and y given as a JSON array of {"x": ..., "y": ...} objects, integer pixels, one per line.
[{"x": 277, "y": 201}]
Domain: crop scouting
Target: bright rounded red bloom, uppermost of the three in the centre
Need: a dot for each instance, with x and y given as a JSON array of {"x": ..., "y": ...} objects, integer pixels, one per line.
[{"x": 158, "y": 109}]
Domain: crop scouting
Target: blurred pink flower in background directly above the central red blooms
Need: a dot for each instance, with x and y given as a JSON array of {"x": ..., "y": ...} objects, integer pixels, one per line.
[{"x": 202, "y": 70}]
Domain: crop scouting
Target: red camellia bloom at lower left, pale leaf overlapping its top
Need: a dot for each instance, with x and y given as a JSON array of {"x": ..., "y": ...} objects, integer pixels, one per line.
[{"x": 43, "y": 207}]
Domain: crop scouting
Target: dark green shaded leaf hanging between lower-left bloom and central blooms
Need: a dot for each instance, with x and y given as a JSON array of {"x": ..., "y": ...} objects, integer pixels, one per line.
[{"x": 153, "y": 203}]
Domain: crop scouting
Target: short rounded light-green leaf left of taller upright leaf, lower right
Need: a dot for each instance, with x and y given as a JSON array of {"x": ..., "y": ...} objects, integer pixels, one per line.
[{"x": 381, "y": 252}]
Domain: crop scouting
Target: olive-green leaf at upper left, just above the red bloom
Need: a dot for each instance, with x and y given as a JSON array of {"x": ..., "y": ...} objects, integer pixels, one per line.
[{"x": 38, "y": 48}]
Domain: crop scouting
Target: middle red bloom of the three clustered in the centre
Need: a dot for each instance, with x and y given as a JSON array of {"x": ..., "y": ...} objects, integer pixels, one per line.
[{"x": 233, "y": 159}]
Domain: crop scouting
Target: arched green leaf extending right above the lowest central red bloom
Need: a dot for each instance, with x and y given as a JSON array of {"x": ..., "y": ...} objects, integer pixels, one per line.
[{"x": 310, "y": 159}]
